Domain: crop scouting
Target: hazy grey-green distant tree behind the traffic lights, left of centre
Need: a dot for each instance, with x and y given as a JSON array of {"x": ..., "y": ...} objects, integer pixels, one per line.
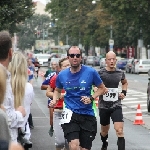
[{"x": 29, "y": 29}]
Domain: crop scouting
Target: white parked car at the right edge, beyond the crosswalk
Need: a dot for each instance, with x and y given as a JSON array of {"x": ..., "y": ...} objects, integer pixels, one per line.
[{"x": 142, "y": 65}]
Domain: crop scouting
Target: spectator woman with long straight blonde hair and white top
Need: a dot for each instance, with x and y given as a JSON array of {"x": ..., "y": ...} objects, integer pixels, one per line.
[{"x": 22, "y": 90}]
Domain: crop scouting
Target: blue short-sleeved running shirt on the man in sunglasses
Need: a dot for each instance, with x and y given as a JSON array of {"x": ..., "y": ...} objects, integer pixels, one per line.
[{"x": 77, "y": 85}]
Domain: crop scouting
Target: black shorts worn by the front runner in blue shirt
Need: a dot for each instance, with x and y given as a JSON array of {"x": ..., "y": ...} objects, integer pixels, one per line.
[{"x": 82, "y": 127}]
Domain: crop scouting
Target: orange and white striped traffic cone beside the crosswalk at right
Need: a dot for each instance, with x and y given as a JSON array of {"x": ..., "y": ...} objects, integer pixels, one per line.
[{"x": 138, "y": 117}]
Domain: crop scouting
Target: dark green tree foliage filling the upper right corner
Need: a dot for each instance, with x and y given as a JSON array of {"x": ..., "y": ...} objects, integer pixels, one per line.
[{"x": 132, "y": 19}]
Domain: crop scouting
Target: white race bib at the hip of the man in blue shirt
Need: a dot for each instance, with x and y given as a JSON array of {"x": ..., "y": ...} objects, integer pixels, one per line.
[{"x": 66, "y": 116}]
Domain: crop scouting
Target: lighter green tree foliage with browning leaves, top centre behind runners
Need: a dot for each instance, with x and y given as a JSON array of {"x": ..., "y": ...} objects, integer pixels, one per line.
[{"x": 80, "y": 20}]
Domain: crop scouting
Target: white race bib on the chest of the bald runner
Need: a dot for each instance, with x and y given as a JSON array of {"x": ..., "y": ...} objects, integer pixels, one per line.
[{"x": 112, "y": 95}]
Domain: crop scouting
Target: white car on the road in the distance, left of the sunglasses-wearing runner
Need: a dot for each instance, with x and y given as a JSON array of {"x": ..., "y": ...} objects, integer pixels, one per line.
[{"x": 42, "y": 59}]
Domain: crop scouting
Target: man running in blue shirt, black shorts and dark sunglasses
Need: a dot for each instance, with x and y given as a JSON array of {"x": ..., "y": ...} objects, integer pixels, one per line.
[{"x": 78, "y": 119}]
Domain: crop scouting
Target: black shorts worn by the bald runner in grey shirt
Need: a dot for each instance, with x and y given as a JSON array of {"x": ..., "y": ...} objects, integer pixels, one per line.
[{"x": 115, "y": 114}]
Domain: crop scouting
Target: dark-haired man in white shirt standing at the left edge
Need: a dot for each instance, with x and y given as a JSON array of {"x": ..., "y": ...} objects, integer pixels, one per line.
[{"x": 15, "y": 116}]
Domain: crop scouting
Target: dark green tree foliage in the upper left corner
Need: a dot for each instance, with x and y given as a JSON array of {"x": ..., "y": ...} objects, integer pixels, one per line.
[{"x": 12, "y": 12}]
